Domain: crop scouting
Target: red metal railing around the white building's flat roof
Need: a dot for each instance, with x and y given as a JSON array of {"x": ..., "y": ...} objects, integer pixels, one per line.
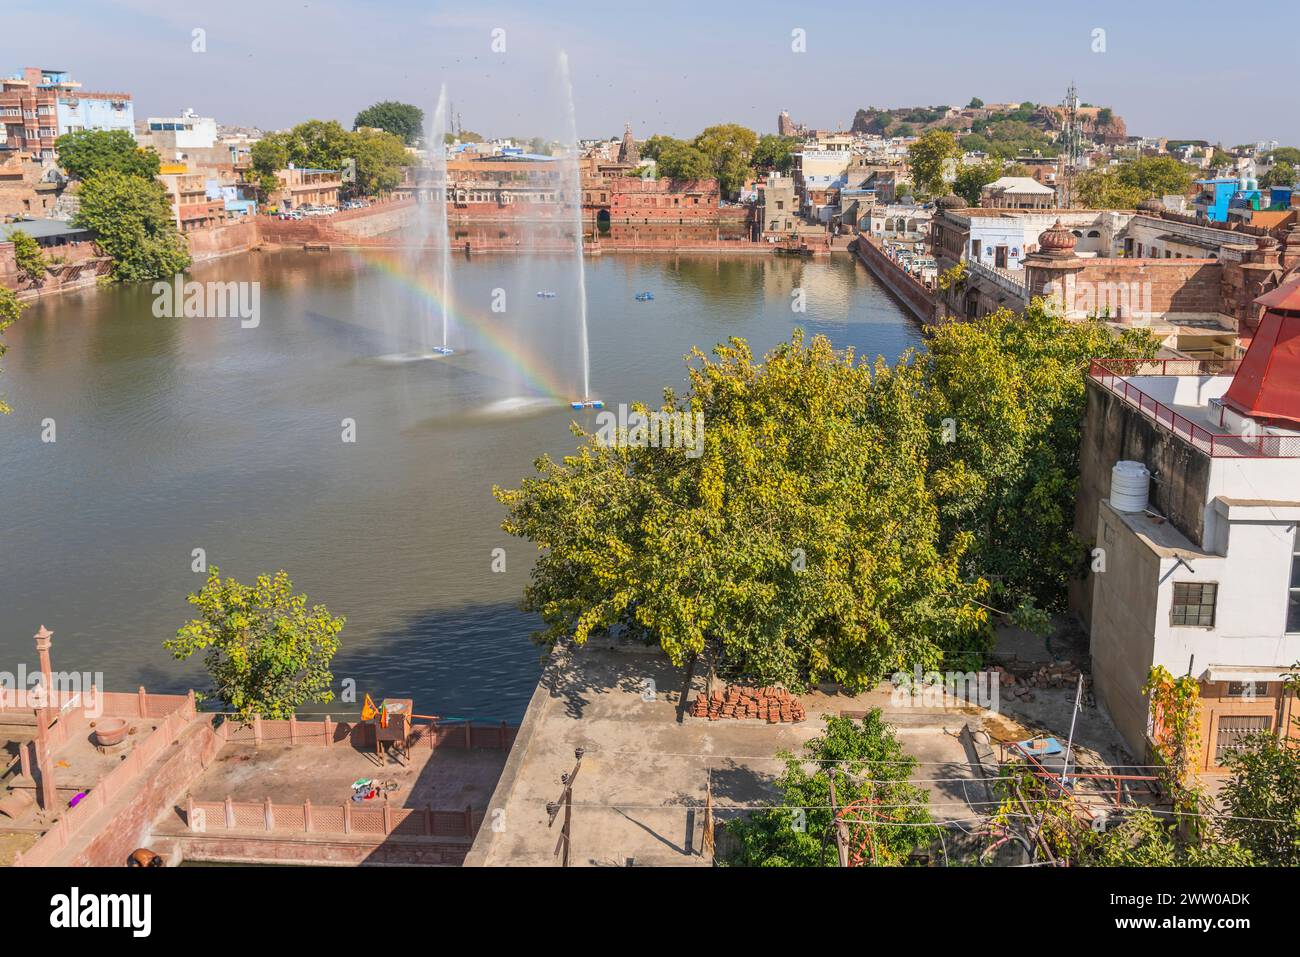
[{"x": 1115, "y": 374}]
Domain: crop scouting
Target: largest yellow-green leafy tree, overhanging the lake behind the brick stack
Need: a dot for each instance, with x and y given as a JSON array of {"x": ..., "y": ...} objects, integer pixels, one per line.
[{"x": 796, "y": 542}]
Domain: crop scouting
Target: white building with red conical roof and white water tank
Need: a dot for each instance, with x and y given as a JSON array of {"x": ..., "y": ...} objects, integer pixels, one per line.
[{"x": 1206, "y": 579}]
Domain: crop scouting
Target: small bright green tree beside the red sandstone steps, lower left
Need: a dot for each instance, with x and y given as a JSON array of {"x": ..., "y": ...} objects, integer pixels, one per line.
[{"x": 266, "y": 652}]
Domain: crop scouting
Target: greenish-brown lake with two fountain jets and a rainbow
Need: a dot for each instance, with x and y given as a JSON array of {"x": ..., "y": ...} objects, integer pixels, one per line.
[{"x": 175, "y": 435}]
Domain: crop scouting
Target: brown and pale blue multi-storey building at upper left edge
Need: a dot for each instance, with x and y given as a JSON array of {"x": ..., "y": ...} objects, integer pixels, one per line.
[{"x": 40, "y": 106}]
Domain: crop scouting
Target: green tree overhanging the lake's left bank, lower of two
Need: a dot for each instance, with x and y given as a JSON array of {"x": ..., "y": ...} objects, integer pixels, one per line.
[{"x": 132, "y": 220}]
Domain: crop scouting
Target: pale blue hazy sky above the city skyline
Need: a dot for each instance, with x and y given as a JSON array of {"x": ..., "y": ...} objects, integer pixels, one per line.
[{"x": 1189, "y": 71}]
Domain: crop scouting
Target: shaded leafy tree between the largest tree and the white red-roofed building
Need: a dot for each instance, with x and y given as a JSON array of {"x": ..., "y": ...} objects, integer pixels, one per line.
[{"x": 1012, "y": 389}]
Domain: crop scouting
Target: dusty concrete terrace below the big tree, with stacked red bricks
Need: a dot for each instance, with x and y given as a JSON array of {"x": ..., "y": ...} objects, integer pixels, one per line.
[{"x": 640, "y": 793}]
